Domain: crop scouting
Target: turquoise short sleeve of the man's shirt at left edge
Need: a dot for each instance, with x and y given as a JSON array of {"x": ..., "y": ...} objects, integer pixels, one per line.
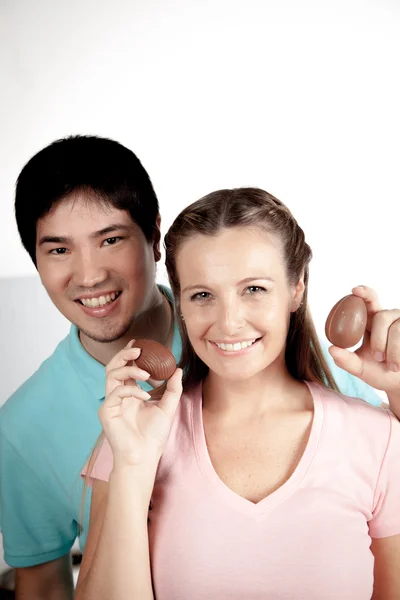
[{"x": 35, "y": 528}]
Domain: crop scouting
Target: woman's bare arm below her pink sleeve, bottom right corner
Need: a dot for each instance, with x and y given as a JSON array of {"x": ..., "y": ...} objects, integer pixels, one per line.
[{"x": 386, "y": 552}]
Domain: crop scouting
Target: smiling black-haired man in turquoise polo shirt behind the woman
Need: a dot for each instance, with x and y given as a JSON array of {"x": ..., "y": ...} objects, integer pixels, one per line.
[{"x": 89, "y": 218}]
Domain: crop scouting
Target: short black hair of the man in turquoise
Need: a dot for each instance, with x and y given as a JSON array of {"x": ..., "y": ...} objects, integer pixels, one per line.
[{"x": 103, "y": 167}]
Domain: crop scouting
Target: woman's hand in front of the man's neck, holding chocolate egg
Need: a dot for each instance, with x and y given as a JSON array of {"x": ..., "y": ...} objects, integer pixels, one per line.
[{"x": 136, "y": 428}]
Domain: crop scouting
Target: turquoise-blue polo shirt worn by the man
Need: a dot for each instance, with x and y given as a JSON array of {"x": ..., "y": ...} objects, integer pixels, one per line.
[{"x": 47, "y": 432}]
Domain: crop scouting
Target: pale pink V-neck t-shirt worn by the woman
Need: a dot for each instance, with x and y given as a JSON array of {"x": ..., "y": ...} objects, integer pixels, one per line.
[{"x": 308, "y": 540}]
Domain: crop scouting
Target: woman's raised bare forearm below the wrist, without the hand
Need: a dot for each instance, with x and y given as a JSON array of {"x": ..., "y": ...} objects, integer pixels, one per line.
[{"x": 116, "y": 561}]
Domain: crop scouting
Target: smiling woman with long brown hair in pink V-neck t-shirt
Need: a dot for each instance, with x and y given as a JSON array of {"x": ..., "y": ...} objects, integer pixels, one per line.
[{"x": 262, "y": 480}]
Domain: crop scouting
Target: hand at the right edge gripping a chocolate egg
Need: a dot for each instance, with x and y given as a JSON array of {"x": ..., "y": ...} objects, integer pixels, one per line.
[{"x": 377, "y": 360}]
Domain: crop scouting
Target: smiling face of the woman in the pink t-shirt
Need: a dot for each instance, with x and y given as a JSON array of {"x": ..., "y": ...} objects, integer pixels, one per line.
[{"x": 236, "y": 300}]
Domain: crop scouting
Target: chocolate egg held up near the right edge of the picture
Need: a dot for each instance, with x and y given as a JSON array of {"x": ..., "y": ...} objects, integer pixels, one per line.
[{"x": 346, "y": 323}]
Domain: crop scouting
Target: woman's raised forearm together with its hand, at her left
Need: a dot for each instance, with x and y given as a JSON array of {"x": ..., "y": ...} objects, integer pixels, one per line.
[{"x": 116, "y": 561}]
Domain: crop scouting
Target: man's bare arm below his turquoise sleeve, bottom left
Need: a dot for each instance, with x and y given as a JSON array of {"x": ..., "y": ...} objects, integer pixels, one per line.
[{"x": 49, "y": 581}]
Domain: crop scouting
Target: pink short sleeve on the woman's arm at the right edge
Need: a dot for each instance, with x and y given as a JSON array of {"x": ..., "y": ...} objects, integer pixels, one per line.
[{"x": 385, "y": 521}]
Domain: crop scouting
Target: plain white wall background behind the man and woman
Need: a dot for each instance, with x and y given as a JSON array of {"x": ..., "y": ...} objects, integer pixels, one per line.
[{"x": 300, "y": 98}]
